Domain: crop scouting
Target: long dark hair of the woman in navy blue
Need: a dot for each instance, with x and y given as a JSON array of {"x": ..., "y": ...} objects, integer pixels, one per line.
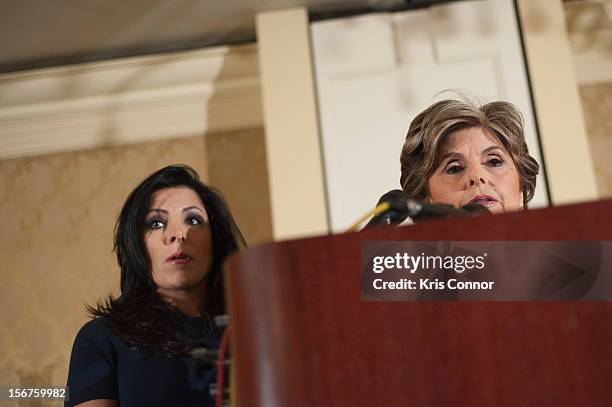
[{"x": 139, "y": 315}]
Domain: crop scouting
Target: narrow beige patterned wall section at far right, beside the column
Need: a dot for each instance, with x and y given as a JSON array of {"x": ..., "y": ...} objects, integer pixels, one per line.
[{"x": 597, "y": 107}]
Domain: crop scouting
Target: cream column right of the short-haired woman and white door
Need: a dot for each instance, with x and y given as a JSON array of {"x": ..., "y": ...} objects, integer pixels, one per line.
[{"x": 563, "y": 135}]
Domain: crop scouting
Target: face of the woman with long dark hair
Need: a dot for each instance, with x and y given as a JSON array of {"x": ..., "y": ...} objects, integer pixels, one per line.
[{"x": 178, "y": 240}]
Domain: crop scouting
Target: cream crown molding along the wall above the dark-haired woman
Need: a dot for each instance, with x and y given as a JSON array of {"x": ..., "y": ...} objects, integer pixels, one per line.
[{"x": 129, "y": 100}]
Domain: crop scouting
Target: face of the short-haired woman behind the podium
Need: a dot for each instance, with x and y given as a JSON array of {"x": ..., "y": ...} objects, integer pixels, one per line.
[{"x": 476, "y": 168}]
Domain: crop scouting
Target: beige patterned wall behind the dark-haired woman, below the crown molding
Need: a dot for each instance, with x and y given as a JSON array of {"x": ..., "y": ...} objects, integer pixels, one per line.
[{"x": 58, "y": 213}]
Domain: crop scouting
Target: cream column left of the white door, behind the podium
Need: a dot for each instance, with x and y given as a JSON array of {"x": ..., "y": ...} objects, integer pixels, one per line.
[{"x": 290, "y": 118}]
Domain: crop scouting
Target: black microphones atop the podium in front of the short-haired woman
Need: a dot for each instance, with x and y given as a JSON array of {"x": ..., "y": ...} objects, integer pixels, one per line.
[{"x": 401, "y": 207}]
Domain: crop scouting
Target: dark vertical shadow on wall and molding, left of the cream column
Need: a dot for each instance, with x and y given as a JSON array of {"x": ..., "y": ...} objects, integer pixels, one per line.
[{"x": 236, "y": 159}]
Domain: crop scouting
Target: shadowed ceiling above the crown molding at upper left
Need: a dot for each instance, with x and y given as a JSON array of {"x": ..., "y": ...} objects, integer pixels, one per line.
[{"x": 42, "y": 33}]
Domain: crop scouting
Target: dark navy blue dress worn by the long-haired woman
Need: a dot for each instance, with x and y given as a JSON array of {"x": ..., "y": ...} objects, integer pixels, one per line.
[{"x": 103, "y": 366}]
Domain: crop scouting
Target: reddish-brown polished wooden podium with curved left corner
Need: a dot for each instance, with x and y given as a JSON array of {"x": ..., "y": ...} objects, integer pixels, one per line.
[{"x": 301, "y": 335}]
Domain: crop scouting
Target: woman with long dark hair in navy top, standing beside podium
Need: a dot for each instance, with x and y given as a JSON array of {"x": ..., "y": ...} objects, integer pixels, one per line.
[{"x": 171, "y": 238}]
